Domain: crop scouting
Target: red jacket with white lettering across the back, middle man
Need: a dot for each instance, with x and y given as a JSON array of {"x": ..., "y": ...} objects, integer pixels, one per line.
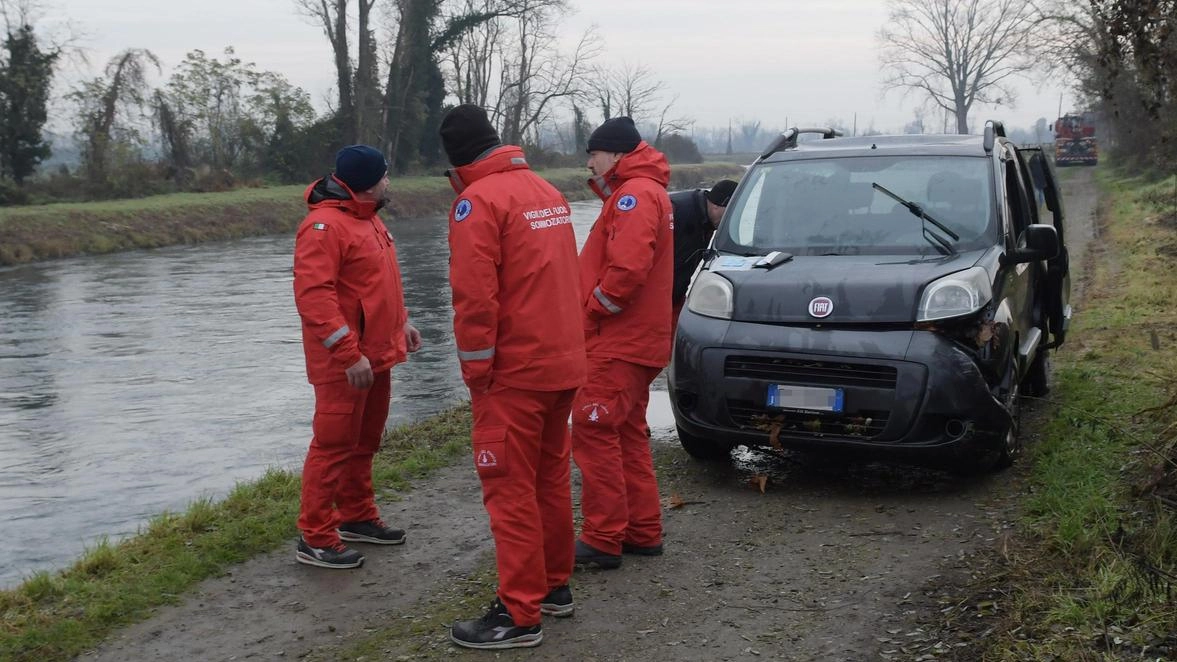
[{"x": 514, "y": 275}]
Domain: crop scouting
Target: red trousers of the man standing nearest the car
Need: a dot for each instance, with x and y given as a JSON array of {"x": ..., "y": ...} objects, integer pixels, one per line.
[{"x": 611, "y": 446}]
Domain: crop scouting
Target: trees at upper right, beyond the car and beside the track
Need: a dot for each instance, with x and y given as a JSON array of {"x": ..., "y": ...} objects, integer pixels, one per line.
[{"x": 1120, "y": 58}]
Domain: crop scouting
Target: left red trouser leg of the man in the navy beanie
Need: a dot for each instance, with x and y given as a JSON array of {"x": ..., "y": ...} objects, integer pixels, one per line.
[{"x": 338, "y": 414}]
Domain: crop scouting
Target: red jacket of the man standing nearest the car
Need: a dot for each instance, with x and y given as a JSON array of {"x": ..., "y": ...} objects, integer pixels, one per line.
[{"x": 628, "y": 263}]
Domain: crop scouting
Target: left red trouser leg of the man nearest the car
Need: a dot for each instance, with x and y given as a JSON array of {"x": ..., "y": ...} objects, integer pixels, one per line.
[{"x": 597, "y": 416}]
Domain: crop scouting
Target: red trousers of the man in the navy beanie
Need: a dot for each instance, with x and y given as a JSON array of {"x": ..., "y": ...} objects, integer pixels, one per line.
[{"x": 337, "y": 475}]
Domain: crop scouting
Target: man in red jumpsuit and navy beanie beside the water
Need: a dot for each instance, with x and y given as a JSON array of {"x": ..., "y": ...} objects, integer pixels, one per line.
[{"x": 355, "y": 329}]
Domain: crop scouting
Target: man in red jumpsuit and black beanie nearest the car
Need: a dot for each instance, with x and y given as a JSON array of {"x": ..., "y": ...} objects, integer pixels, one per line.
[{"x": 627, "y": 276}]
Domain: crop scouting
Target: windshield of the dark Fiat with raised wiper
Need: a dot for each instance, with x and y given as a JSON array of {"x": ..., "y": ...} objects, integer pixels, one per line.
[{"x": 830, "y": 207}]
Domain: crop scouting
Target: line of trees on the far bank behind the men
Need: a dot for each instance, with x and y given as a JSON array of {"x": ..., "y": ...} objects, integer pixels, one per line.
[{"x": 218, "y": 122}]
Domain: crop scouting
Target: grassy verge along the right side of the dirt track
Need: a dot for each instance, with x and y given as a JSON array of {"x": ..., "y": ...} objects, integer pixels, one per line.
[{"x": 1096, "y": 577}]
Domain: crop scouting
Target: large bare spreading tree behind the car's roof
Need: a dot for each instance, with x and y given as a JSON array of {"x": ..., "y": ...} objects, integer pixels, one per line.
[{"x": 957, "y": 52}]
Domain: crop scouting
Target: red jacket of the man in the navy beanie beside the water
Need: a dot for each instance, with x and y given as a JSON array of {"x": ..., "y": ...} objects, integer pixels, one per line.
[{"x": 347, "y": 286}]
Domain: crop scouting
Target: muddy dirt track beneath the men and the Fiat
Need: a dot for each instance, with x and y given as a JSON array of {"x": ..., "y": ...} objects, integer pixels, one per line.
[{"x": 830, "y": 562}]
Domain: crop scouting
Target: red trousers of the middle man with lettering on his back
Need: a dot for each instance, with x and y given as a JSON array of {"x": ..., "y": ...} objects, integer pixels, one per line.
[{"x": 510, "y": 493}]
